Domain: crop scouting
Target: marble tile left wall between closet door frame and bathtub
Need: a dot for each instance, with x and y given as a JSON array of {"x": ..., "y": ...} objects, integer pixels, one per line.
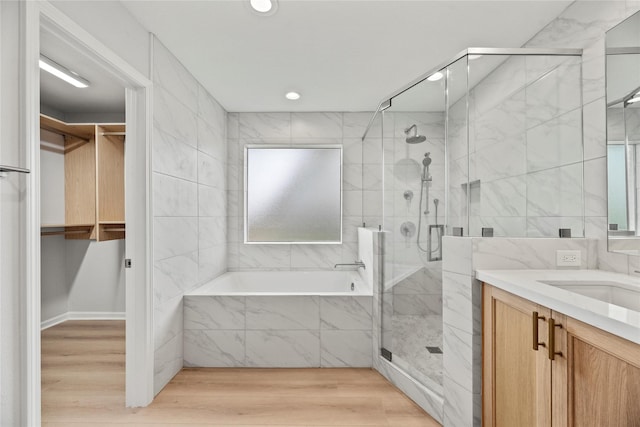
[{"x": 189, "y": 198}]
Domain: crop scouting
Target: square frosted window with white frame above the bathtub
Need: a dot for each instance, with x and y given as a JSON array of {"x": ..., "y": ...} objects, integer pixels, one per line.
[{"x": 293, "y": 194}]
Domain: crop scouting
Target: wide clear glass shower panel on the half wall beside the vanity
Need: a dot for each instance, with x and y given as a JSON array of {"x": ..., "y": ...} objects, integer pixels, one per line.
[{"x": 525, "y": 145}]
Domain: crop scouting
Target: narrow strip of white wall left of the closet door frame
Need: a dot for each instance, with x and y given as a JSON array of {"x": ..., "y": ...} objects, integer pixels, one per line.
[{"x": 12, "y": 203}]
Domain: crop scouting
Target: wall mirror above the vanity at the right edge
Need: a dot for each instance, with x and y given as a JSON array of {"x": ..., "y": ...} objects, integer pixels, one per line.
[{"x": 623, "y": 135}]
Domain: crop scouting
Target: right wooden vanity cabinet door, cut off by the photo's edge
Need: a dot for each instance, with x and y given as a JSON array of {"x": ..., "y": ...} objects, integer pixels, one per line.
[{"x": 603, "y": 378}]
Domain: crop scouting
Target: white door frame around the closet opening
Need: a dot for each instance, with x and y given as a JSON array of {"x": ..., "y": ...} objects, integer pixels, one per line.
[{"x": 139, "y": 296}]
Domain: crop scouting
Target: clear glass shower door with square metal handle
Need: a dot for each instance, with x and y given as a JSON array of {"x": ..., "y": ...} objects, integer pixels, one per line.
[{"x": 414, "y": 187}]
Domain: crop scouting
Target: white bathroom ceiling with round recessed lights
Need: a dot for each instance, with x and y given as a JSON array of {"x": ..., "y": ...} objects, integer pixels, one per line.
[{"x": 340, "y": 55}]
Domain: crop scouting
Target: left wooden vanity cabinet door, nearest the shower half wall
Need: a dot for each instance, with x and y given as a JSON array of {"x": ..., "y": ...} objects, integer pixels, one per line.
[{"x": 516, "y": 378}]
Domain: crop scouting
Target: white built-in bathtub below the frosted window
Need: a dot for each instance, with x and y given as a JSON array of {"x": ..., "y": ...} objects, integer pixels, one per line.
[{"x": 265, "y": 283}]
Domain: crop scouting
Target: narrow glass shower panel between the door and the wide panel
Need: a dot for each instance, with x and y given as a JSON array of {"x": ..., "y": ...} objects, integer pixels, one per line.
[{"x": 462, "y": 193}]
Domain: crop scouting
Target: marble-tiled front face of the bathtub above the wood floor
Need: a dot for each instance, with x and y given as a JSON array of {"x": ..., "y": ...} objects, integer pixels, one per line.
[{"x": 278, "y": 331}]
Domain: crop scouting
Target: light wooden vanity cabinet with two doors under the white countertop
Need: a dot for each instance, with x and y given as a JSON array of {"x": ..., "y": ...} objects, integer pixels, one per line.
[{"x": 542, "y": 368}]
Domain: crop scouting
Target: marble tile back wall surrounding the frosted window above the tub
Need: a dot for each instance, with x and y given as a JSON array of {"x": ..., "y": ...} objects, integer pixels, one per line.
[{"x": 362, "y": 184}]
